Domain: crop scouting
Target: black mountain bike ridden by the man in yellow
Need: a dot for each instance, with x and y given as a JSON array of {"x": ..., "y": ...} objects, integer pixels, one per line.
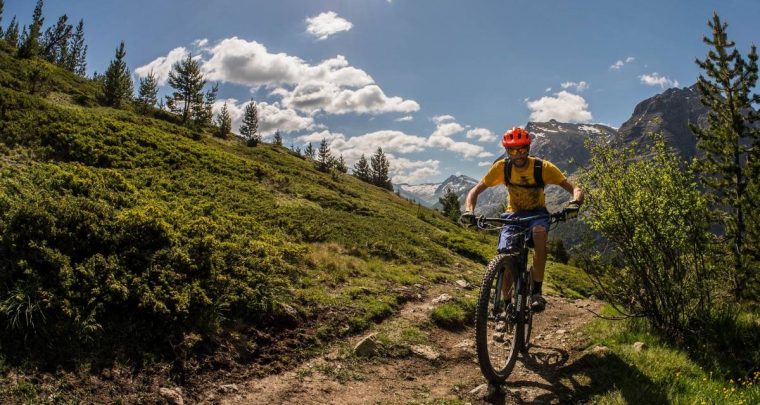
[{"x": 504, "y": 319}]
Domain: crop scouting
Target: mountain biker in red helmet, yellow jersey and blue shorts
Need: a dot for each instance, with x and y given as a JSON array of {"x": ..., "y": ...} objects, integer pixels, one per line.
[{"x": 525, "y": 199}]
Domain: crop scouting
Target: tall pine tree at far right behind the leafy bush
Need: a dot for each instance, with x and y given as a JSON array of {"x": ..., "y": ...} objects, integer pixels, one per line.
[{"x": 730, "y": 169}]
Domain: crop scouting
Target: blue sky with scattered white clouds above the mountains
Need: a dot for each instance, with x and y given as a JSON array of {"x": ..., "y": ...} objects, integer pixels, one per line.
[{"x": 433, "y": 82}]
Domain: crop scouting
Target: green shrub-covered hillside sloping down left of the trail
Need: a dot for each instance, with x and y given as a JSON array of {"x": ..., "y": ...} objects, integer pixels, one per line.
[{"x": 123, "y": 234}]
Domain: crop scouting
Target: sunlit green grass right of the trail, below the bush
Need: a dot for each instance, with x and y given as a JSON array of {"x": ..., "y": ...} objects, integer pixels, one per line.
[{"x": 659, "y": 374}]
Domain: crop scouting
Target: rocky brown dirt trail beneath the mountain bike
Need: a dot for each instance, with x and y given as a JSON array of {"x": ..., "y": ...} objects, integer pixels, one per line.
[{"x": 336, "y": 378}]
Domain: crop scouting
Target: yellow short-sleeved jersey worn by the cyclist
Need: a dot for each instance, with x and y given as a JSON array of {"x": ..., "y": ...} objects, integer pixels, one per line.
[{"x": 522, "y": 198}]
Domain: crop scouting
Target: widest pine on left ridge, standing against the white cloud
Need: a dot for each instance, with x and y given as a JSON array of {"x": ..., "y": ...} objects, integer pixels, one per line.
[{"x": 187, "y": 81}]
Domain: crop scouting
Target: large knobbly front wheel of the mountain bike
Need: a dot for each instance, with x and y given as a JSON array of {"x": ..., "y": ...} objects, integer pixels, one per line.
[{"x": 496, "y": 354}]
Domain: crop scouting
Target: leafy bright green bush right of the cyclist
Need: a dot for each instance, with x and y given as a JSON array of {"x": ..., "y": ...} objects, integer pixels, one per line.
[{"x": 651, "y": 211}]
